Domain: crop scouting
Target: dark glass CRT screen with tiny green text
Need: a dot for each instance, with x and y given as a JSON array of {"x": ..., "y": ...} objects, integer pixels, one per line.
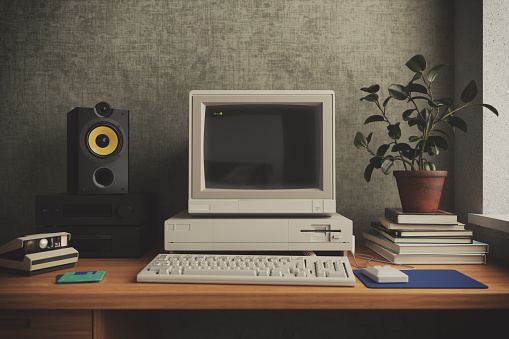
[{"x": 262, "y": 146}]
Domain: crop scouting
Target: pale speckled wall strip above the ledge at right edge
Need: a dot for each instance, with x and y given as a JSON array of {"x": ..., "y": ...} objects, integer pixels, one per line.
[{"x": 495, "y": 92}]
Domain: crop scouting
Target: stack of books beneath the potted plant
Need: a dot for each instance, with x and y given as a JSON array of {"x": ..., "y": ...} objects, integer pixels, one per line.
[{"x": 424, "y": 238}]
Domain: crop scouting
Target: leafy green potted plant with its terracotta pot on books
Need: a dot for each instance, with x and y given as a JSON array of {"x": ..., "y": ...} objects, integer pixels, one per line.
[{"x": 419, "y": 184}]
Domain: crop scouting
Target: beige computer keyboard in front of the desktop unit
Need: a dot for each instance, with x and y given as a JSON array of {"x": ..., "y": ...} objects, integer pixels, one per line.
[{"x": 248, "y": 269}]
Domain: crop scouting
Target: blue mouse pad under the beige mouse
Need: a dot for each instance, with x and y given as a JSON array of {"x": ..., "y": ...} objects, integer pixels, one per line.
[{"x": 426, "y": 279}]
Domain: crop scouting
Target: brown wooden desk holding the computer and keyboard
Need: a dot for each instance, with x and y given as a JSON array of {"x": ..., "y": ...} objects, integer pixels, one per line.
[{"x": 119, "y": 291}]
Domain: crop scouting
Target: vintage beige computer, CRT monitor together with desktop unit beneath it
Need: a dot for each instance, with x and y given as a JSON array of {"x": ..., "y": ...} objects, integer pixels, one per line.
[{"x": 261, "y": 174}]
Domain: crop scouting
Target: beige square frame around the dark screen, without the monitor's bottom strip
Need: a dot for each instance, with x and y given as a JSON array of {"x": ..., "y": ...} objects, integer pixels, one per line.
[{"x": 198, "y": 102}]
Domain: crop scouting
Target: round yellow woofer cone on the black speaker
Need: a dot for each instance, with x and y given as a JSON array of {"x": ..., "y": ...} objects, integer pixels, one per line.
[{"x": 104, "y": 140}]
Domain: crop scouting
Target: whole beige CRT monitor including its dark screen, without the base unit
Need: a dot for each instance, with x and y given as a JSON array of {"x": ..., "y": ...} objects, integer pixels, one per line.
[{"x": 261, "y": 152}]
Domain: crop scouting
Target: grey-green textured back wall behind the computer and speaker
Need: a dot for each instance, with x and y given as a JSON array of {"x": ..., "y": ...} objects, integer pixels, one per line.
[{"x": 146, "y": 56}]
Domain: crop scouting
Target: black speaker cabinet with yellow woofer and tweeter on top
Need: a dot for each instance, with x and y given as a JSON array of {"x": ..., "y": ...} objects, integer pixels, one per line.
[{"x": 98, "y": 150}]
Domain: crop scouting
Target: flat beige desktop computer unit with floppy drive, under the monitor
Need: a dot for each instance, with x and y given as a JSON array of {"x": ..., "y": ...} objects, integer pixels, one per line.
[{"x": 184, "y": 232}]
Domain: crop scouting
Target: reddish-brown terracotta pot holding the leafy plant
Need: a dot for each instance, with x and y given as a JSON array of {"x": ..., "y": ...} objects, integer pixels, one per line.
[{"x": 420, "y": 191}]
